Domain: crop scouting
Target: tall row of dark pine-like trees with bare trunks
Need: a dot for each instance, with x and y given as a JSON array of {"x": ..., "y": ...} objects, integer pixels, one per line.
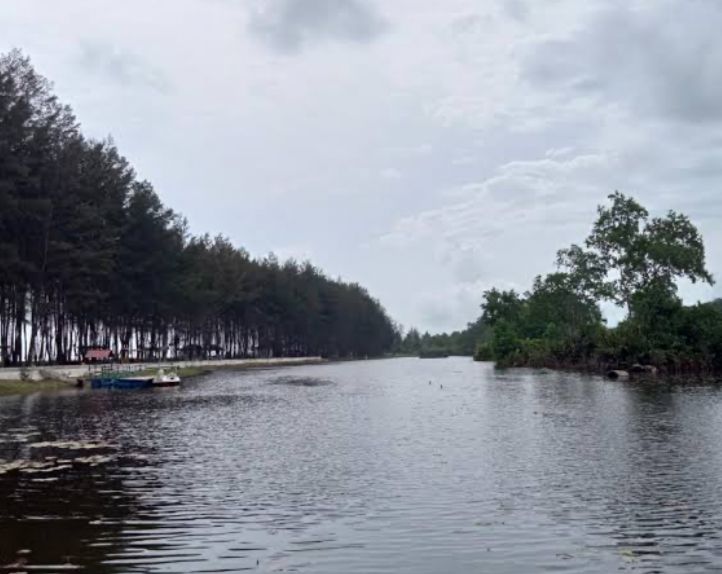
[{"x": 90, "y": 257}]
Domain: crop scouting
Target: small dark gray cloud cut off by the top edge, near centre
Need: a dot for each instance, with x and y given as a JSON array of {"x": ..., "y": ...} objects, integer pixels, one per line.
[{"x": 290, "y": 25}]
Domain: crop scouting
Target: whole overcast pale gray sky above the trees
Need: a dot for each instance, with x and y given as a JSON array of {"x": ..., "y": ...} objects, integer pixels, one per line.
[{"x": 427, "y": 150}]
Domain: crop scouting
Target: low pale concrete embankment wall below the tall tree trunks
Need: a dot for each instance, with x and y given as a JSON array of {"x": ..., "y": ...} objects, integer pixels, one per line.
[{"x": 79, "y": 371}]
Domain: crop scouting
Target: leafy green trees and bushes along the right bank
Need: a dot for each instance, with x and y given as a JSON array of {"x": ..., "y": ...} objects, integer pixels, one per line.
[{"x": 629, "y": 259}]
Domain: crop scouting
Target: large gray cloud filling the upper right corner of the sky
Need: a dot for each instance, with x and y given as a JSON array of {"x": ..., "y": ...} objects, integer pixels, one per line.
[{"x": 664, "y": 61}]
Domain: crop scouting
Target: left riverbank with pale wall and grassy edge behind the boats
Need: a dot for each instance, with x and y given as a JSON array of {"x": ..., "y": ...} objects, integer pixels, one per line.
[{"x": 27, "y": 380}]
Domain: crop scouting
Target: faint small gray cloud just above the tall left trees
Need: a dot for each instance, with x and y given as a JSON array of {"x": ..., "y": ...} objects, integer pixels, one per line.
[{"x": 120, "y": 66}]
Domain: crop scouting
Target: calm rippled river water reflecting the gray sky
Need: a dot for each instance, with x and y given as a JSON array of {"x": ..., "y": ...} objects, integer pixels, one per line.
[{"x": 367, "y": 467}]
